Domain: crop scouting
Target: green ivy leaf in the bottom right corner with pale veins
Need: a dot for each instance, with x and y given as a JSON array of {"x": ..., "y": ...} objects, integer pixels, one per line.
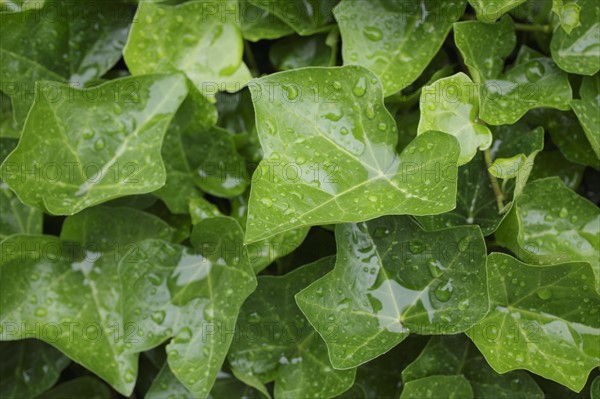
[{"x": 542, "y": 320}]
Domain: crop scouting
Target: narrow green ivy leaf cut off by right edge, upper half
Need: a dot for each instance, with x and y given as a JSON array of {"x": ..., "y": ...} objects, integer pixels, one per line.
[{"x": 586, "y": 110}]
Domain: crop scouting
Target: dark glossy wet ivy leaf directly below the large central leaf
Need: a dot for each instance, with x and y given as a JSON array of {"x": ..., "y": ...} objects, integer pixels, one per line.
[{"x": 392, "y": 278}]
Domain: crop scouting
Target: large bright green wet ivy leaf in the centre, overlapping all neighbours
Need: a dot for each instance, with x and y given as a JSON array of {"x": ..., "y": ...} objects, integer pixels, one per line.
[{"x": 336, "y": 152}]
